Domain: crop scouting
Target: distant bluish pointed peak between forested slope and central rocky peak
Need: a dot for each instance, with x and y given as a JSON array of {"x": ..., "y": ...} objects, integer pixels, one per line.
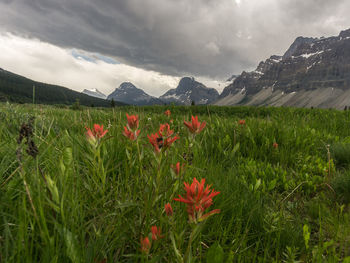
[{"x": 129, "y": 94}]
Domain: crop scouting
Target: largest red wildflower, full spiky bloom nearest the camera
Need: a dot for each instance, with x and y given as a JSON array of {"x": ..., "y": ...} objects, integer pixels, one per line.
[{"x": 198, "y": 199}]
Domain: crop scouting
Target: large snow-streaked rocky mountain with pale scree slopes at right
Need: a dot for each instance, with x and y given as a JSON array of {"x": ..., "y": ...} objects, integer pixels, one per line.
[{"x": 312, "y": 72}]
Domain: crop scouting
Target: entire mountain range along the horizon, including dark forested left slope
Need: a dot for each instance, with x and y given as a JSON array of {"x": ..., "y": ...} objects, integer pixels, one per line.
[{"x": 313, "y": 72}]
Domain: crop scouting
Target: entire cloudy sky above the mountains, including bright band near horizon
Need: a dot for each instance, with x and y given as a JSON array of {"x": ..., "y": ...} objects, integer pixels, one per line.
[{"x": 152, "y": 43}]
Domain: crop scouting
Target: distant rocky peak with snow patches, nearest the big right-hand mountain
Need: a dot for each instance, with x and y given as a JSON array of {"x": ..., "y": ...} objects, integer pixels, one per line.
[{"x": 190, "y": 90}]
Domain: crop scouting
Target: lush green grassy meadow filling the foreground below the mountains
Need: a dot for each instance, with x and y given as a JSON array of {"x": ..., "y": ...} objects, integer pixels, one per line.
[{"x": 283, "y": 175}]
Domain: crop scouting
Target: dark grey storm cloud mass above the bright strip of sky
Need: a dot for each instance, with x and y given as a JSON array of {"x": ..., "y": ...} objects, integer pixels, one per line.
[{"x": 211, "y": 38}]
